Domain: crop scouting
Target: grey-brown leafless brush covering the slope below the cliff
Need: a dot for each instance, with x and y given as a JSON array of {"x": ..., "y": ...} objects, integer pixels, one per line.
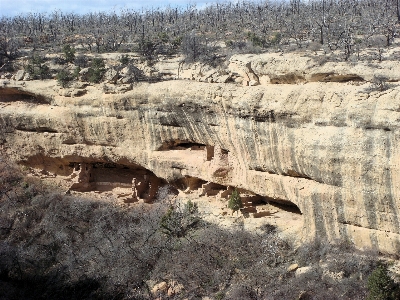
[{"x": 65, "y": 247}]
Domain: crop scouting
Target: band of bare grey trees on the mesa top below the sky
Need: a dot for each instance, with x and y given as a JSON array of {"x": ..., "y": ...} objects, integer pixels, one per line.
[{"x": 344, "y": 26}]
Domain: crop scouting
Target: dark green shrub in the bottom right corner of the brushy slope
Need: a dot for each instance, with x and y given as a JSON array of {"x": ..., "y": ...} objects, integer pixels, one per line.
[{"x": 381, "y": 286}]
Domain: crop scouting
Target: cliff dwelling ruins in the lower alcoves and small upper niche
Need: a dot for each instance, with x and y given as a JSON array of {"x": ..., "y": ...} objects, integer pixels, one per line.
[{"x": 131, "y": 183}]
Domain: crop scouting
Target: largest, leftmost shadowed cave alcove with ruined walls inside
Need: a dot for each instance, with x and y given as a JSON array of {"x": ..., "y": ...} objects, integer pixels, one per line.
[{"x": 129, "y": 182}]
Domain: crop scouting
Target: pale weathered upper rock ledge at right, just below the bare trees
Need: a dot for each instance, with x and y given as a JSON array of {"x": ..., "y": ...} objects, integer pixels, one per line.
[{"x": 272, "y": 68}]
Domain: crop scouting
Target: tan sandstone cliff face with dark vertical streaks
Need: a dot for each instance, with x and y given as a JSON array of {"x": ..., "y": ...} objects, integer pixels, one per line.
[{"x": 331, "y": 149}]
